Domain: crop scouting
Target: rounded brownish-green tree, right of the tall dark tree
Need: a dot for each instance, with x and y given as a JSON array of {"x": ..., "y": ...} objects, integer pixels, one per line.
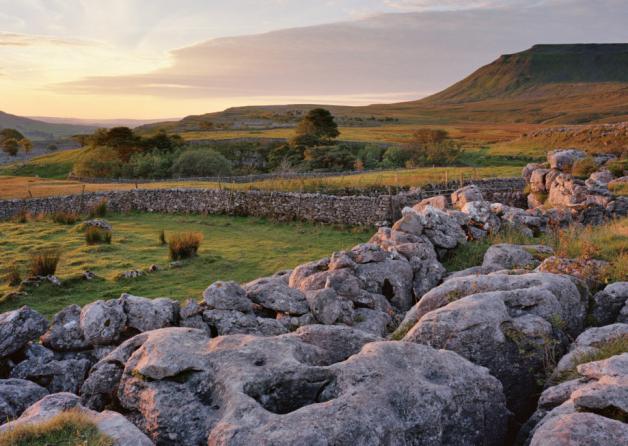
[{"x": 433, "y": 147}]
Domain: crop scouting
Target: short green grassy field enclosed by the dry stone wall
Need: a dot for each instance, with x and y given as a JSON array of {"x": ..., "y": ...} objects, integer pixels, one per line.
[{"x": 234, "y": 248}]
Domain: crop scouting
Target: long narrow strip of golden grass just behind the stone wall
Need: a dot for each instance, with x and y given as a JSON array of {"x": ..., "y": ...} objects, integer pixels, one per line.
[{"x": 25, "y": 187}]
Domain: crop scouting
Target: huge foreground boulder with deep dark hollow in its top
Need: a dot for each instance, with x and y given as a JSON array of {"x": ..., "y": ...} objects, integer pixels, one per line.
[{"x": 180, "y": 387}]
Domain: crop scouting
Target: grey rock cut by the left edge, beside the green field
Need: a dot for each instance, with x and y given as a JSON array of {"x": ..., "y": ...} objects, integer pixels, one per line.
[{"x": 18, "y": 327}]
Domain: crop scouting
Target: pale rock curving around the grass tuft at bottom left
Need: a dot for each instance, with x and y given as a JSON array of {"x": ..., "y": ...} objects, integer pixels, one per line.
[{"x": 111, "y": 424}]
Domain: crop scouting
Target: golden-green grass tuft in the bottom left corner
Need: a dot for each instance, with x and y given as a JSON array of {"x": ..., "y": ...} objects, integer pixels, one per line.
[{"x": 70, "y": 428}]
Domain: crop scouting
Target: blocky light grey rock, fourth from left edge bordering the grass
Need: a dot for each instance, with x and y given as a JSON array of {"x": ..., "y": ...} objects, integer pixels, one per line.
[{"x": 144, "y": 314}]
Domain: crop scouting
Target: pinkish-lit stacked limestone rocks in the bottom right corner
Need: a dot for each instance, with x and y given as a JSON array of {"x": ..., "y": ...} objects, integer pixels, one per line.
[{"x": 592, "y": 406}]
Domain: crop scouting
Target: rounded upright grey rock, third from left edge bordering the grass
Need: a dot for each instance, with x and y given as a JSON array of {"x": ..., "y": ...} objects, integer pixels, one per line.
[{"x": 103, "y": 322}]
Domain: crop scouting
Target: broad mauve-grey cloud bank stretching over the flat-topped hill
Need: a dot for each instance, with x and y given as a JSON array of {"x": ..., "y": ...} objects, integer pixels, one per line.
[{"x": 385, "y": 54}]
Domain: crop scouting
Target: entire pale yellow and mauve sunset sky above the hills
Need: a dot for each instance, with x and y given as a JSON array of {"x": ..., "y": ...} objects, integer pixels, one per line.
[{"x": 163, "y": 59}]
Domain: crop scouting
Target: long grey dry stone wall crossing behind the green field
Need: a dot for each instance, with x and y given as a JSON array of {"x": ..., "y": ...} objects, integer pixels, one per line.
[{"x": 349, "y": 209}]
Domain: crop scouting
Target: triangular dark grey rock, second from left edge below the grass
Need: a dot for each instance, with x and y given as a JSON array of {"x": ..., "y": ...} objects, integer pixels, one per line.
[{"x": 65, "y": 333}]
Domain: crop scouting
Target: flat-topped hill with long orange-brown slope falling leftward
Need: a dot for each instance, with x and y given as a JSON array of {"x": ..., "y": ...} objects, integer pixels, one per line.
[{"x": 546, "y": 84}]
